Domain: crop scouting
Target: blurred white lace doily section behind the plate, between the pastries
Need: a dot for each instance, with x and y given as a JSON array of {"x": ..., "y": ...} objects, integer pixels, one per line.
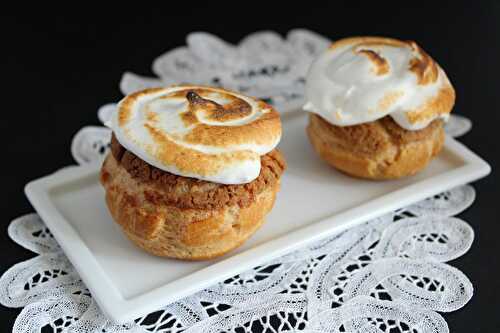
[{"x": 264, "y": 65}]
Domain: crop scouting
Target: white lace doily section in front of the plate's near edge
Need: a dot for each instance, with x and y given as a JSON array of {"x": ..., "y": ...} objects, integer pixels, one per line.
[{"x": 387, "y": 275}]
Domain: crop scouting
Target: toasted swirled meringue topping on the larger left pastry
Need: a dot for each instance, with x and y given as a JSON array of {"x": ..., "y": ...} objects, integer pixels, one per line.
[{"x": 201, "y": 132}]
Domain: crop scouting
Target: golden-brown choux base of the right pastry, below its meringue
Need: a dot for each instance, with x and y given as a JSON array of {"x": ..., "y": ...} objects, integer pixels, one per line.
[{"x": 376, "y": 150}]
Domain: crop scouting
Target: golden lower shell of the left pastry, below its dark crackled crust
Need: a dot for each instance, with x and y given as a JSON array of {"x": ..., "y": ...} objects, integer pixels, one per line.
[{"x": 182, "y": 233}]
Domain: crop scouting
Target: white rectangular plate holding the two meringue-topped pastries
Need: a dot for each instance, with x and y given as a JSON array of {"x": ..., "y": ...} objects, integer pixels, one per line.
[{"x": 315, "y": 201}]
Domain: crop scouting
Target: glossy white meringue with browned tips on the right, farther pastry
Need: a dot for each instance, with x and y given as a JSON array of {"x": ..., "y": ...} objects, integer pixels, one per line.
[{"x": 362, "y": 79}]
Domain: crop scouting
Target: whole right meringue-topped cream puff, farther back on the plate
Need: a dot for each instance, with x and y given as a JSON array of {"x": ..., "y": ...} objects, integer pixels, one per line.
[{"x": 377, "y": 107}]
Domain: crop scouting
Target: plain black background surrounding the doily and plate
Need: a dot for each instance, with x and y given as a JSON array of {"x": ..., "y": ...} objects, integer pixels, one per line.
[{"x": 58, "y": 69}]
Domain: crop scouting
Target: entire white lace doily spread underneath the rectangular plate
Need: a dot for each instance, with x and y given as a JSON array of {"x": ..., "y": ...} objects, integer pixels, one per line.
[{"x": 387, "y": 275}]
